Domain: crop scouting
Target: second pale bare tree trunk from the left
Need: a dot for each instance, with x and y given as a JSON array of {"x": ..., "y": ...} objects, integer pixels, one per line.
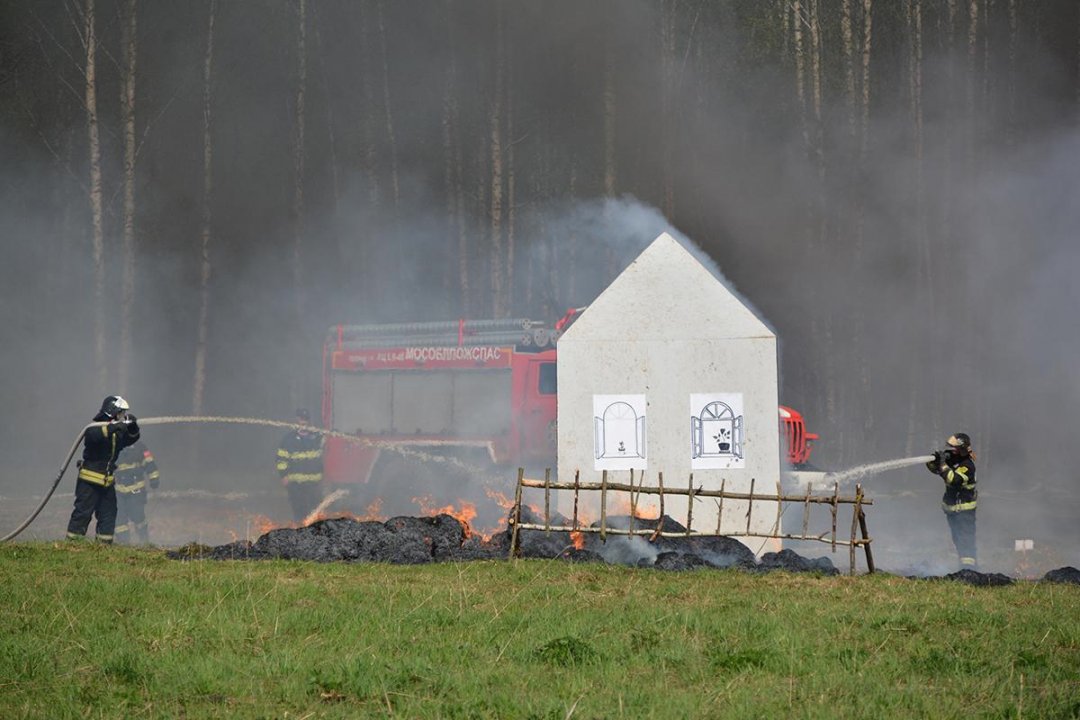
[{"x": 128, "y": 112}]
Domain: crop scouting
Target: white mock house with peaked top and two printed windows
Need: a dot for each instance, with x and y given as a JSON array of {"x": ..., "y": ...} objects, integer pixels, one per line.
[{"x": 668, "y": 371}]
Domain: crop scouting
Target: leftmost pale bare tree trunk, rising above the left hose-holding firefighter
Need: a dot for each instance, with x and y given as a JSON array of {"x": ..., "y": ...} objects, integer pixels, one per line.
[{"x": 98, "y": 215}]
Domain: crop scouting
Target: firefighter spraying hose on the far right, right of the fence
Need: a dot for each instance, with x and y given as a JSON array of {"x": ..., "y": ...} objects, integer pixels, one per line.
[{"x": 956, "y": 466}]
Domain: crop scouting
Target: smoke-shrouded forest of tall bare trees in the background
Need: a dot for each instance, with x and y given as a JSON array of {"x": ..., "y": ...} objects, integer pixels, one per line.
[{"x": 192, "y": 194}]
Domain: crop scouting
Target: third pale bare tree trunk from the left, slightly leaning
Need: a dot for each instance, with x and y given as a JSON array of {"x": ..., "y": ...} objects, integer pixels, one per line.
[{"x": 205, "y": 237}]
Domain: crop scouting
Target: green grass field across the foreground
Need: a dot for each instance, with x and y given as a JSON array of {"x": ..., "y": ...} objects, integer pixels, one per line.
[{"x": 94, "y": 632}]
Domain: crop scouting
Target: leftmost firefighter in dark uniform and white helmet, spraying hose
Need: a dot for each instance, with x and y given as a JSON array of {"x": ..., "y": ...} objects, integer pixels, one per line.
[{"x": 96, "y": 494}]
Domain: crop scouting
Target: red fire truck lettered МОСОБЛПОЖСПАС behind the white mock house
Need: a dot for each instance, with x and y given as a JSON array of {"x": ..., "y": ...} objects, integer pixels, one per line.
[{"x": 439, "y": 388}]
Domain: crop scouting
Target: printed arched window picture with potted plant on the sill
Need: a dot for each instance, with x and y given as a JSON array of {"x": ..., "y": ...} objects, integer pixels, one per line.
[{"x": 718, "y": 436}]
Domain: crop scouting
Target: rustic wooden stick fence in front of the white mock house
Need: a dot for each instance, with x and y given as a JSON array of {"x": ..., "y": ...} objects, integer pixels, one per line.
[{"x": 858, "y": 537}]
